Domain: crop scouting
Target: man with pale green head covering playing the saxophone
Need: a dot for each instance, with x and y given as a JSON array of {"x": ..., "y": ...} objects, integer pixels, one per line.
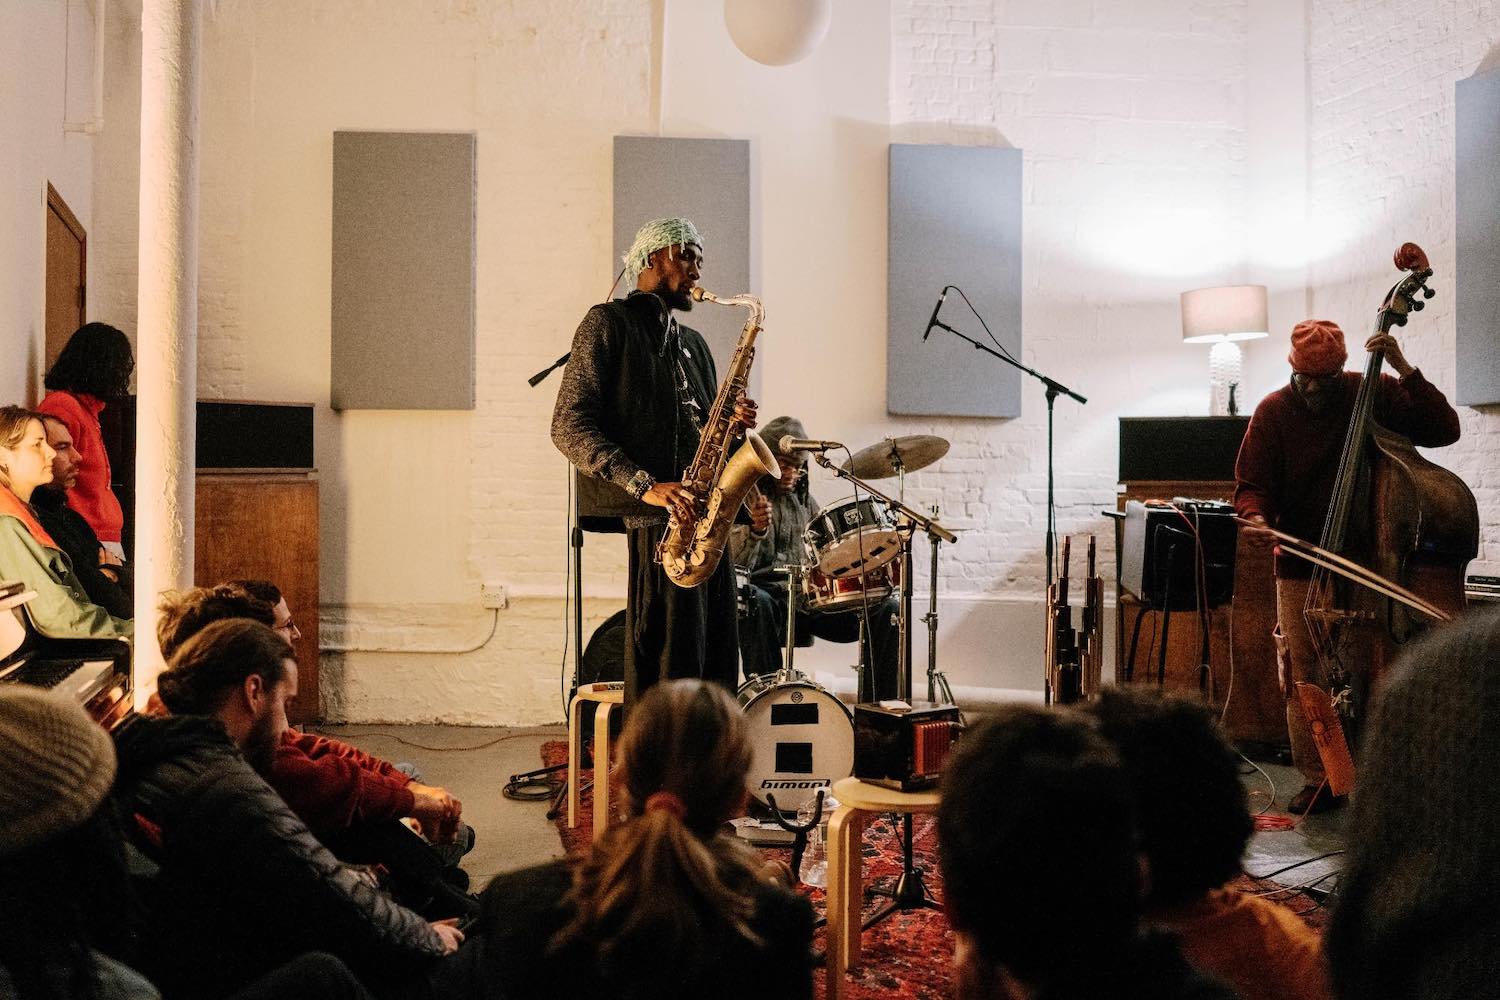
[{"x": 634, "y": 400}]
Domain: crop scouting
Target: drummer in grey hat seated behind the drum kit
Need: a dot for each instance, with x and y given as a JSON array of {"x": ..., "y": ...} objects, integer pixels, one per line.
[{"x": 763, "y": 624}]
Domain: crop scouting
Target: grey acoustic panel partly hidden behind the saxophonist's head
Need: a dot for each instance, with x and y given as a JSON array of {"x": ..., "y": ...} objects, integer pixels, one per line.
[{"x": 709, "y": 182}]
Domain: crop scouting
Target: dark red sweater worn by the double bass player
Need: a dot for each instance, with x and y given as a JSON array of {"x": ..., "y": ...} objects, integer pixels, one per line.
[{"x": 1289, "y": 458}]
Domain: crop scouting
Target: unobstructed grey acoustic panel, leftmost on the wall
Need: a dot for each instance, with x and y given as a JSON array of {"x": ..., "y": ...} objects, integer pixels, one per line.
[{"x": 403, "y": 271}]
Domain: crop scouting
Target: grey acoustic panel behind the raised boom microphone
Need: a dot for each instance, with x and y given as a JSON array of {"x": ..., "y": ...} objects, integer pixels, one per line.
[{"x": 955, "y": 220}]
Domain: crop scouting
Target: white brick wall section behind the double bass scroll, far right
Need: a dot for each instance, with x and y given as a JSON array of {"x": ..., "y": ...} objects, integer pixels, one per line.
[{"x": 1382, "y": 173}]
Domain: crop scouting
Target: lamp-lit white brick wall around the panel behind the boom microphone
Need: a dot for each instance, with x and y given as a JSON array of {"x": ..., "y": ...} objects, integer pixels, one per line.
[{"x": 1133, "y": 124}]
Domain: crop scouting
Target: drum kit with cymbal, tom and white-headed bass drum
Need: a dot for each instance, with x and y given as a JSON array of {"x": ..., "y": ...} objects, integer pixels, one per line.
[{"x": 859, "y": 552}]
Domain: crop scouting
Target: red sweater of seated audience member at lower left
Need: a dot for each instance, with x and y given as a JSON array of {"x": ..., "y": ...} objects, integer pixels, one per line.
[{"x": 332, "y": 786}]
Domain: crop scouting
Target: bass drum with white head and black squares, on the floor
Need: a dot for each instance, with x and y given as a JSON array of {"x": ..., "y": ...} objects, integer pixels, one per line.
[{"x": 802, "y": 740}]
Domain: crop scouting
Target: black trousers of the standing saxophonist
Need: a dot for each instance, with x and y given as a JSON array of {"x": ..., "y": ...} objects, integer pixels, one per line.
[{"x": 677, "y": 632}]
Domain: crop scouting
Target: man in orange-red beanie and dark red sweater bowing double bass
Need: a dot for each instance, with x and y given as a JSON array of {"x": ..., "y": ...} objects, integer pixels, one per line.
[{"x": 1285, "y": 479}]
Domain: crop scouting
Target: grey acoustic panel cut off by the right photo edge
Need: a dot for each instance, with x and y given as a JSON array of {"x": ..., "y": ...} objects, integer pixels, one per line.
[{"x": 1478, "y": 206}]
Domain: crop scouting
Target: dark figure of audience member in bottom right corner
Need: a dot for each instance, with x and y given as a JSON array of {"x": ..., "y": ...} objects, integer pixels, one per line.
[{"x": 1418, "y": 914}]
